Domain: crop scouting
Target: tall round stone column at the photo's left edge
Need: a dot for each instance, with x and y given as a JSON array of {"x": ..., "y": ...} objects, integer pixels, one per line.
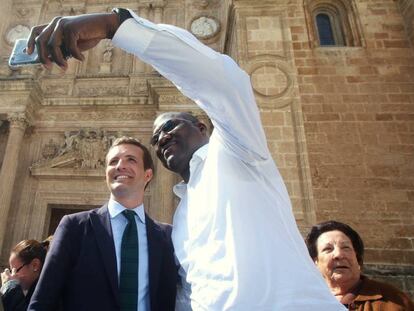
[{"x": 18, "y": 125}]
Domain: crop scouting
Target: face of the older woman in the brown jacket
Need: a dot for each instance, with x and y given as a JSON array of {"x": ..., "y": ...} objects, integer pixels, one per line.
[{"x": 337, "y": 260}]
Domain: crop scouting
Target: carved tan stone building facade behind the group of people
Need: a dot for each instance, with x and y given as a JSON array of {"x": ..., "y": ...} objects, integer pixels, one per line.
[{"x": 339, "y": 119}]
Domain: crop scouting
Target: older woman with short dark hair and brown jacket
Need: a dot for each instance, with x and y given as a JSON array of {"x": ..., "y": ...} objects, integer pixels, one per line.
[{"x": 338, "y": 252}]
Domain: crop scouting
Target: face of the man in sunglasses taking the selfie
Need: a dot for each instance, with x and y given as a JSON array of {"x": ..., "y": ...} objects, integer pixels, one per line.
[{"x": 175, "y": 139}]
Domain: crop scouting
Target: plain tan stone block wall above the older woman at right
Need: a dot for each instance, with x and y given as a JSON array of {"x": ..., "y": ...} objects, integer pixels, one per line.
[{"x": 359, "y": 123}]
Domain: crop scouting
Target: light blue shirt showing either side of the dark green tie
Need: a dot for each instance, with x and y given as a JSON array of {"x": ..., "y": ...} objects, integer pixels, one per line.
[{"x": 118, "y": 224}]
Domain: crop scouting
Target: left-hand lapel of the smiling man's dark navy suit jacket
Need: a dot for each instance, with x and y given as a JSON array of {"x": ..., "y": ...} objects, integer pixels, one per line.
[{"x": 102, "y": 226}]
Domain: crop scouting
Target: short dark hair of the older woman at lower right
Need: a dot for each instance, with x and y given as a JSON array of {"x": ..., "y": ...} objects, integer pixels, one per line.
[{"x": 331, "y": 225}]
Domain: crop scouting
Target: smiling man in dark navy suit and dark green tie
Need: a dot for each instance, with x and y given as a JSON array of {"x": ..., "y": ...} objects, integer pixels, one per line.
[{"x": 84, "y": 266}]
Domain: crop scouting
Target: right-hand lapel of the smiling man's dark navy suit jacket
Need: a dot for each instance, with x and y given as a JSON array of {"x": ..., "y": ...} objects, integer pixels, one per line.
[{"x": 155, "y": 249}]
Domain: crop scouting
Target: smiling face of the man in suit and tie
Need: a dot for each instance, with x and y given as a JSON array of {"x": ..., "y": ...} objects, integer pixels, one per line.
[{"x": 126, "y": 176}]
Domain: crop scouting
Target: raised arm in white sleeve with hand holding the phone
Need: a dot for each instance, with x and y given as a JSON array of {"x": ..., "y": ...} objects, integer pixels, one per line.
[{"x": 213, "y": 80}]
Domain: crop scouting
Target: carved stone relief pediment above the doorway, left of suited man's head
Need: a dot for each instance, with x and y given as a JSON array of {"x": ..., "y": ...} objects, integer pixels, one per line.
[{"x": 81, "y": 154}]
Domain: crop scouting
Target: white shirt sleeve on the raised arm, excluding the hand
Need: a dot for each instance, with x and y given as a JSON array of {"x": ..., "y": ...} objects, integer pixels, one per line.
[{"x": 213, "y": 80}]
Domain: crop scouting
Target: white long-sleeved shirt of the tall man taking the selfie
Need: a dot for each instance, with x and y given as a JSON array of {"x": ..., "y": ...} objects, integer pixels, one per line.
[{"x": 234, "y": 232}]
